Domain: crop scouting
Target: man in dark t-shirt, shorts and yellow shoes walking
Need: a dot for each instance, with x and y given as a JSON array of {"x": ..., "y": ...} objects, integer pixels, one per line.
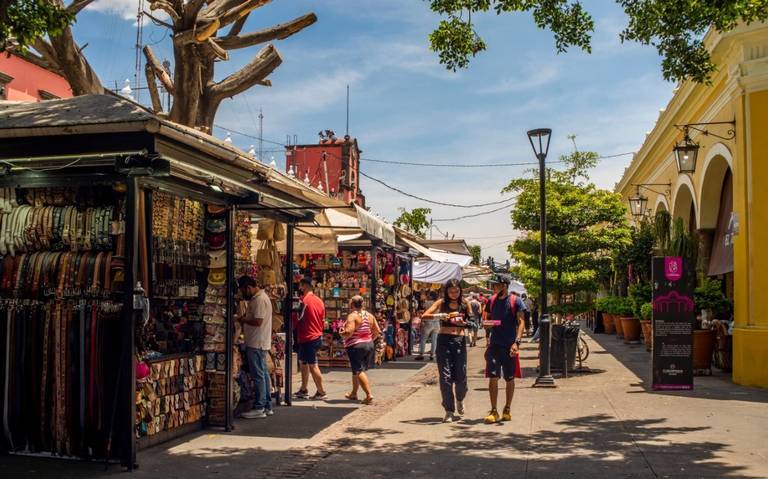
[{"x": 505, "y": 316}]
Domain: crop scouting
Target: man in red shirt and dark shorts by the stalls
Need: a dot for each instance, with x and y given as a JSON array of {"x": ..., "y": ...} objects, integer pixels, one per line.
[{"x": 310, "y": 336}]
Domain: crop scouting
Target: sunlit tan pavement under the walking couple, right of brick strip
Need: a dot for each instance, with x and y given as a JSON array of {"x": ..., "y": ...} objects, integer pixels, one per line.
[{"x": 604, "y": 424}]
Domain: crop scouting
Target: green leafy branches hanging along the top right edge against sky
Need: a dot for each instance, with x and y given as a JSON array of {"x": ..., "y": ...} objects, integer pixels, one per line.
[{"x": 674, "y": 27}]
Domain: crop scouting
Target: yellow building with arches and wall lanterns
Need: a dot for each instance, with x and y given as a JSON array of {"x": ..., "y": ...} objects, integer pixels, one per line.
[{"x": 726, "y": 197}]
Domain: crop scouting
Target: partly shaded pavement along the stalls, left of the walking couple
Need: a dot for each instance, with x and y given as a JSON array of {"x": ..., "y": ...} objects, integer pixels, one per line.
[{"x": 256, "y": 447}]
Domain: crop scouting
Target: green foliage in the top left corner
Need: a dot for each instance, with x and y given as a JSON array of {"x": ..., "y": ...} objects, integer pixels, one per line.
[{"x": 22, "y": 21}]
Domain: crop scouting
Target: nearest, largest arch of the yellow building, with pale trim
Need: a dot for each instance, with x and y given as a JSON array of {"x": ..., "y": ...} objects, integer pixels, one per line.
[{"x": 717, "y": 165}]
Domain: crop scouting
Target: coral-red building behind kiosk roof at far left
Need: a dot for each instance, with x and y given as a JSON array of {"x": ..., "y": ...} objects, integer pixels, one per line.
[{"x": 28, "y": 78}]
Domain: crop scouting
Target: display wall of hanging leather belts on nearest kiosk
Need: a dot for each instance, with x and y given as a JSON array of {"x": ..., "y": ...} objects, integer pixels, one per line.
[{"x": 59, "y": 317}]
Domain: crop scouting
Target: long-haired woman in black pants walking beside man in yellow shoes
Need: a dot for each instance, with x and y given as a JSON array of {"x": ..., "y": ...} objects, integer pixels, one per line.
[{"x": 453, "y": 312}]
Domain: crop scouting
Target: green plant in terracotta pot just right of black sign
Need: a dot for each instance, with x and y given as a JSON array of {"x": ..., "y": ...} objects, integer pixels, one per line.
[{"x": 710, "y": 300}]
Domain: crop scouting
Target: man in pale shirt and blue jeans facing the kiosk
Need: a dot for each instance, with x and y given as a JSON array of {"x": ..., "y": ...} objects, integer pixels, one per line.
[{"x": 257, "y": 327}]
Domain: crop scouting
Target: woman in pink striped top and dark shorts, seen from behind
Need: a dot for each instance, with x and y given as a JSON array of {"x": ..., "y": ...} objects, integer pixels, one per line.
[{"x": 360, "y": 329}]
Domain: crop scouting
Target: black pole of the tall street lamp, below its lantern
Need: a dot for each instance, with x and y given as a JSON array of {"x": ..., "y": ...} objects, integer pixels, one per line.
[{"x": 545, "y": 377}]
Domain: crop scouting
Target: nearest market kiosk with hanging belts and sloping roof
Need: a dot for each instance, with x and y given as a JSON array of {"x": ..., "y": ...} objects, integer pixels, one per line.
[{"x": 123, "y": 235}]
